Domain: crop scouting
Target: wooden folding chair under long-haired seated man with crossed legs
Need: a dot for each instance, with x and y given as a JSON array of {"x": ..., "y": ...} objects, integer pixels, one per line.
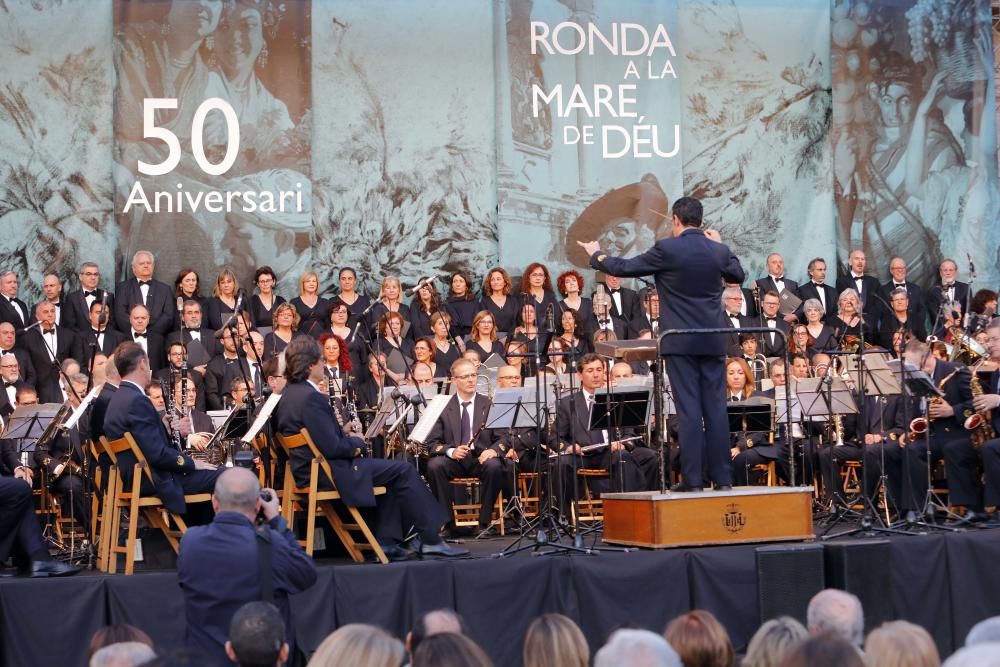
[{"x": 313, "y": 499}]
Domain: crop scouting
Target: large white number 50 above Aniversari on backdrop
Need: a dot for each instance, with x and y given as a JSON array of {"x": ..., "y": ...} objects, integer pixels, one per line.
[{"x": 151, "y": 131}]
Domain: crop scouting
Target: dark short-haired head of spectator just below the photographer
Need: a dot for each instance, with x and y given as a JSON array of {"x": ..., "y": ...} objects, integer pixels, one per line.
[{"x": 257, "y": 636}]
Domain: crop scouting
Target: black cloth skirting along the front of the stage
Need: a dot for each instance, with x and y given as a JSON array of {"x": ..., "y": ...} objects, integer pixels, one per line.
[{"x": 945, "y": 582}]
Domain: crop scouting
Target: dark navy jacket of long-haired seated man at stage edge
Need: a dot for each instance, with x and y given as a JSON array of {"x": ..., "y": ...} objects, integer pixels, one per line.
[{"x": 302, "y": 406}]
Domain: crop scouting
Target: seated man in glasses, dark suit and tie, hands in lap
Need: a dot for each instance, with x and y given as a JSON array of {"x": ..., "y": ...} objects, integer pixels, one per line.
[{"x": 460, "y": 446}]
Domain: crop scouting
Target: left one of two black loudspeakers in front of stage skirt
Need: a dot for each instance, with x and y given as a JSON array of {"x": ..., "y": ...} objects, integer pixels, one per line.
[{"x": 788, "y": 575}]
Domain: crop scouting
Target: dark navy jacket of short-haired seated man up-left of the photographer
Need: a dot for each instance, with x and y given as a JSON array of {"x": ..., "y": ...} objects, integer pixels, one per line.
[{"x": 130, "y": 410}]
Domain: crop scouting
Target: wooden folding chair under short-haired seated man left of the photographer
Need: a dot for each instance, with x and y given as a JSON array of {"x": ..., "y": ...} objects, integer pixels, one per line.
[{"x": 131, "y": 499}]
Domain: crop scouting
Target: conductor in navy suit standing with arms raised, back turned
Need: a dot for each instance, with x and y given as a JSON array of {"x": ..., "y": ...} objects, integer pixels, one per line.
[{"x": 689, "y": 270}]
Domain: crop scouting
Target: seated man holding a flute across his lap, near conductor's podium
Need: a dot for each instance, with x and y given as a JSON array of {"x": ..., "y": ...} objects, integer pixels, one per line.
[{"x": 631, "y": 465}]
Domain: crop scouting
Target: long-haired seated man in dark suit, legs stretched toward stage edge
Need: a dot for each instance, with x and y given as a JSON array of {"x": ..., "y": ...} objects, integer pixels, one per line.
[{"x": 407, "y": 501}]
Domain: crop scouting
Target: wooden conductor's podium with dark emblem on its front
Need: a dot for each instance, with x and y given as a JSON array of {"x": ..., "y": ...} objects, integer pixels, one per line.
[{"x": 744, "y": 515}]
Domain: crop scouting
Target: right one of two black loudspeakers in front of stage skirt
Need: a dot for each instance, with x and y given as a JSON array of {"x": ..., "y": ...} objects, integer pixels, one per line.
[{"x": 861, "y": 567}]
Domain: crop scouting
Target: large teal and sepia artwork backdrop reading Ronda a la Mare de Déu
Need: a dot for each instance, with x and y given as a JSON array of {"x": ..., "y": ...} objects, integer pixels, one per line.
[{"x": 415, "y": 137}]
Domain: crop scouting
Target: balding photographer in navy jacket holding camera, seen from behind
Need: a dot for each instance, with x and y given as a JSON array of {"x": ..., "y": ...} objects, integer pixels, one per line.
[{"x": 247, "y": 553}]
